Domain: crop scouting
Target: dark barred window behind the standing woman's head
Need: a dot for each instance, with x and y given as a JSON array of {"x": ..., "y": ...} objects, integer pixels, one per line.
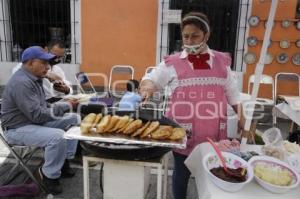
[{"x": 223, "y": 16}]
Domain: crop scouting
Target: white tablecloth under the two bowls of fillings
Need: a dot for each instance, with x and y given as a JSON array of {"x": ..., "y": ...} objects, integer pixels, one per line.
[{"x": 207, "y": 190}]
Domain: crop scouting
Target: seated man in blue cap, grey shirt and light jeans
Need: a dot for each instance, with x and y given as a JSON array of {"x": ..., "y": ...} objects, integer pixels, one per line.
[{"x": 28, "y": 120}]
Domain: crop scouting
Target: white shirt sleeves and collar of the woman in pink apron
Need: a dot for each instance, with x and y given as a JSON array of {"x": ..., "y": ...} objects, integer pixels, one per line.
[{"x": 163, "y": 76}]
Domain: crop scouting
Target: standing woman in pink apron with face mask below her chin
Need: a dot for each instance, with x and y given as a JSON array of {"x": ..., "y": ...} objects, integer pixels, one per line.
[{"x": 202, "y": 85}]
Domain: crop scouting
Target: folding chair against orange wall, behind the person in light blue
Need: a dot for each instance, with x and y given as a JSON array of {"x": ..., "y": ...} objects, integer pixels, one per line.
[{"x": 119, "y": 70}]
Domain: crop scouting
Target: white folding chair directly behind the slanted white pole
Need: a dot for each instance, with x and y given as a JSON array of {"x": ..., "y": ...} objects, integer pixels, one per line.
[{"x": 264, "y": 102}]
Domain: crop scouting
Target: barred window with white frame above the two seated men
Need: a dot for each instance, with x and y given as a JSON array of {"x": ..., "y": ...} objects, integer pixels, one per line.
[{"x": 36, "y": 22}]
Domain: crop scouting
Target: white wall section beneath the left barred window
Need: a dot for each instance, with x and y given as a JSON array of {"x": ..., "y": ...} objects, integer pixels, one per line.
[{"x": 6, "y": 68}]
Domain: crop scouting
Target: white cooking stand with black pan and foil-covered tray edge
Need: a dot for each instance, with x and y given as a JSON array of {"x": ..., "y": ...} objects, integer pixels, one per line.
[{"x": 127, "y": 161}]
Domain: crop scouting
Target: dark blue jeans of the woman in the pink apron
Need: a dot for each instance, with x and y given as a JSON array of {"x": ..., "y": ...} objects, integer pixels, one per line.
[{"x": 181, "y": 175}]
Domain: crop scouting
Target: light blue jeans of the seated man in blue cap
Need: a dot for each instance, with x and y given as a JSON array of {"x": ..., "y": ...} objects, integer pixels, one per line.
[{"x": 49, "y": 136}]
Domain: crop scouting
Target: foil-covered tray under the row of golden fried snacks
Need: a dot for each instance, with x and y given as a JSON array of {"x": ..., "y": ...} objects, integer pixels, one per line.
[{"x": 75, "y": 133}]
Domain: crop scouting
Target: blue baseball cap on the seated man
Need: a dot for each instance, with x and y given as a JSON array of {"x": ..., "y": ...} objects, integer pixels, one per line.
[{"x": 36, "y": 52}]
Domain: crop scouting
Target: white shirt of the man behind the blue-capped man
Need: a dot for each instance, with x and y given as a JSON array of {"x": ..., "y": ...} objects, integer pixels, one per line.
[{"x": 47, "y": 85}]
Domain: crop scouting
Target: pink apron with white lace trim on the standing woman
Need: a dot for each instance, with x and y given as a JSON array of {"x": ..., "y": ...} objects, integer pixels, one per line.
[{"x": 199, "y": 103}]
